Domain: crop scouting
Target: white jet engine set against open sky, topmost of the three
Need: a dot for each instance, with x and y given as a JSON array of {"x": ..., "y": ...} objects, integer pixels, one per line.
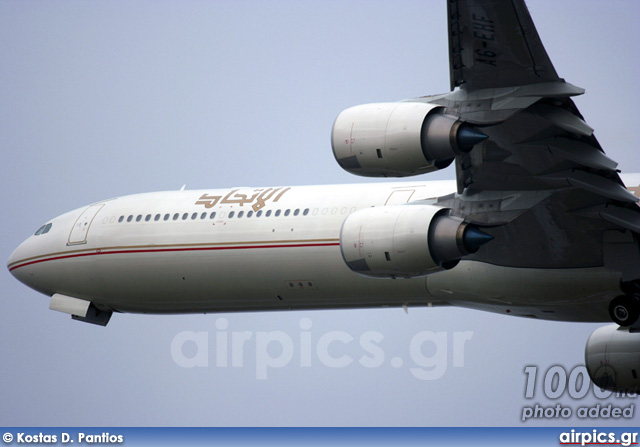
[{"x": 399, "y": 139}]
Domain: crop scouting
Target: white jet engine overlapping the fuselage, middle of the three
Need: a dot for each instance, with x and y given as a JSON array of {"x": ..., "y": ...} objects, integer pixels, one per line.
[{"x": 406, "y": 240}]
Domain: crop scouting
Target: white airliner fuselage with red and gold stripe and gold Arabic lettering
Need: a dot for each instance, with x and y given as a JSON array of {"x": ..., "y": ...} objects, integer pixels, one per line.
[{"x": 270, "y": 249}]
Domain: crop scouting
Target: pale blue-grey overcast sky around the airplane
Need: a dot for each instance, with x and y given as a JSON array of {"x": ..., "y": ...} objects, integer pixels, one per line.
[{"x": 102, "y": 99}]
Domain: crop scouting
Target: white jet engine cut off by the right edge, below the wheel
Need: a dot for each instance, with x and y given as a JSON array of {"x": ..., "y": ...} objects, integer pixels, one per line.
[{"x": 612, "y": 357}]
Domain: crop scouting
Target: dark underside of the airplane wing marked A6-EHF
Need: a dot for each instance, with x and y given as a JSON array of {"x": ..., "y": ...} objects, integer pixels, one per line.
[{"x": 540, "y": 182}]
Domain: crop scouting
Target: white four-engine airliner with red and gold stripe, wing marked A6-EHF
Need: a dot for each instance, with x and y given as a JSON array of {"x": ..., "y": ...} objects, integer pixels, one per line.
[{"x": 538, "y": 222}]
